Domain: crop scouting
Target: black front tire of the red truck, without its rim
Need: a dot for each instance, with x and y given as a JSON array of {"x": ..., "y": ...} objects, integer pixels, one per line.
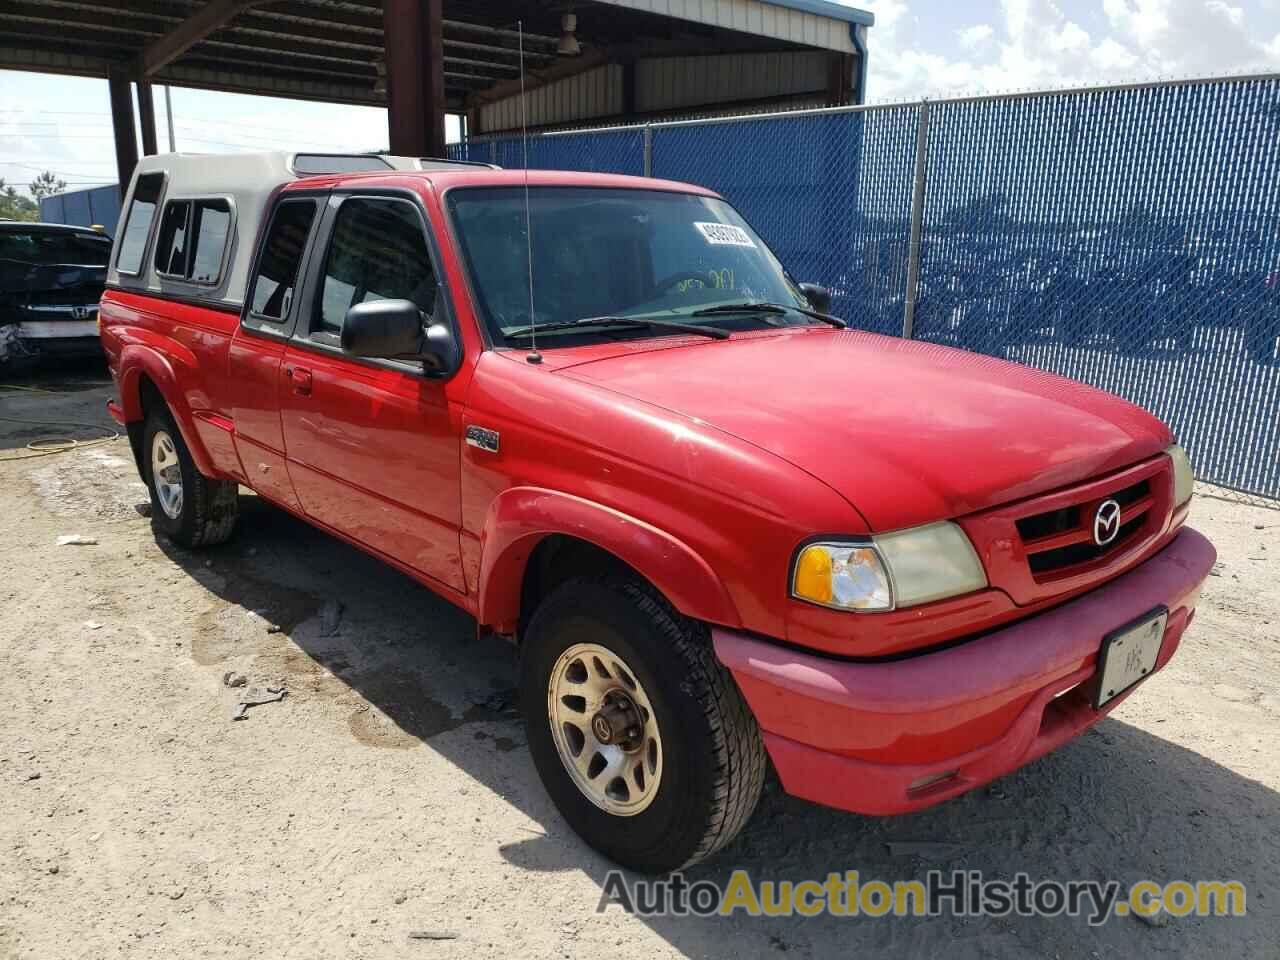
[{"x": 714, "y": 756}]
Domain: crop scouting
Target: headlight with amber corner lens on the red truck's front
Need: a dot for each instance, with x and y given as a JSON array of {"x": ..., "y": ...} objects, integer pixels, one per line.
[{"x": 894, "y": 570}]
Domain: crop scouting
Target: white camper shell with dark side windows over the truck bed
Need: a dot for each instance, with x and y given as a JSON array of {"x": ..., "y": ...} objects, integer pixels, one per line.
[{"x": 191, "y": 221}]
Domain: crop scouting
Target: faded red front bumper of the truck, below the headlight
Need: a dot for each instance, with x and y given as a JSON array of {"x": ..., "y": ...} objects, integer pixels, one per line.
[{"x": 897, "y": 737}]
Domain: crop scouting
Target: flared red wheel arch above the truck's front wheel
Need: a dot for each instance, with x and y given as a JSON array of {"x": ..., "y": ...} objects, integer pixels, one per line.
[{"x": 523, "y": 516}]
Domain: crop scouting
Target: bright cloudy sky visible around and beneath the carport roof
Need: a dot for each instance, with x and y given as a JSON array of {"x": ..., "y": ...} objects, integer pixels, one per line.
[{"x": 918, "y": 48}]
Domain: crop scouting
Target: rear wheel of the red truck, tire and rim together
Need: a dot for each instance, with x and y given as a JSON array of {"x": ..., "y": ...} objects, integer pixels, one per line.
[{"x": 186, "y": 506}]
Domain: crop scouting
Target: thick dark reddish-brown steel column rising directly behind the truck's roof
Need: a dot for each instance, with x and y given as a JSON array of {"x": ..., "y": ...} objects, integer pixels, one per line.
[{"x": 414, "y": 47}]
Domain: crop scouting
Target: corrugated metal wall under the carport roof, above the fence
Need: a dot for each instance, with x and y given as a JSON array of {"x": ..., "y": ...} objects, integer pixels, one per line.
[{"x": 666, "y": 84}]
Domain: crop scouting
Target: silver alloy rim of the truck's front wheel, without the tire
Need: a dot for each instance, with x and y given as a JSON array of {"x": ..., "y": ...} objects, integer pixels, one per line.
[{"x": 605, "y": 730}]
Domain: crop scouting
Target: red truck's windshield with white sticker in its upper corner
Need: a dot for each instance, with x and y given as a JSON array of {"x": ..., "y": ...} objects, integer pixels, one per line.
[{"x": 614, "y": 254}]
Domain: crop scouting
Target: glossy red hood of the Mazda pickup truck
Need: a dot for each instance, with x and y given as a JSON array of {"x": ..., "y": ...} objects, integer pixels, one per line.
[{"x": 907, "y": 432}]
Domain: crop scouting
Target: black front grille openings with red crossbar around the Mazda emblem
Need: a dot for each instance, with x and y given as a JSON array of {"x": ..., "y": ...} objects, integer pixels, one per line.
[{"x": 1060, "y": 542}]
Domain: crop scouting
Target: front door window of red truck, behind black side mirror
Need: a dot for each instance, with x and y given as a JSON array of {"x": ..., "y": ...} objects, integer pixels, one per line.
[{"x": 378, "y": 252}]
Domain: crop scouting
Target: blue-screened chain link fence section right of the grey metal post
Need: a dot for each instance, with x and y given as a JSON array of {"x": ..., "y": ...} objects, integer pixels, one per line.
[{"x": 1127, "y": 239}]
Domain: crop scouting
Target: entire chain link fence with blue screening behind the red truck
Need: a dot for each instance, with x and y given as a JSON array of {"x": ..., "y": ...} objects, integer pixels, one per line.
[{"x": 1128, "y": 237}]
